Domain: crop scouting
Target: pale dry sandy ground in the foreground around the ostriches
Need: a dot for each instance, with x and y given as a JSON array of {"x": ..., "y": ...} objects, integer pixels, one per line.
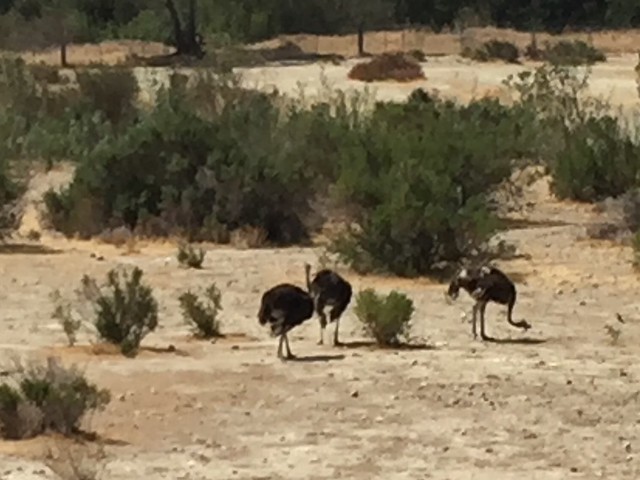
[{"x": 558, "y": 402}]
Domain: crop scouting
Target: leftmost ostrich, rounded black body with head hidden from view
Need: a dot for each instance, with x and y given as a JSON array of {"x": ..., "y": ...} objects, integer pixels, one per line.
[{"x": 284, "y": 307}]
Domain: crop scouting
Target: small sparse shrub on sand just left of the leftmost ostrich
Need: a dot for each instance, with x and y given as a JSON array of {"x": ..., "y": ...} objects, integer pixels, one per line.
[{"x": 202, "y": 314}]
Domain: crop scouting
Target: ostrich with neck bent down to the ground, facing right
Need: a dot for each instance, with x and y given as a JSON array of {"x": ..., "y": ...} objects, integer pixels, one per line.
[{"x": 486, "y": 284}]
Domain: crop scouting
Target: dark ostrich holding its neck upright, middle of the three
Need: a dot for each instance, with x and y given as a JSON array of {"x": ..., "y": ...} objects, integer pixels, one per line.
[{"x": 328, "y": 289}]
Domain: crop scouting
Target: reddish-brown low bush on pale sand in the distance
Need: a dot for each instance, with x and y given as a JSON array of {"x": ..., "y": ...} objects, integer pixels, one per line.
[{"x": 397, "y": 67}]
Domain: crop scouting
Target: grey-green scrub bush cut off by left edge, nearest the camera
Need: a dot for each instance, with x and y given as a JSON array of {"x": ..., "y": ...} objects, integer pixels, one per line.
[{"x": 48, "y": 397}]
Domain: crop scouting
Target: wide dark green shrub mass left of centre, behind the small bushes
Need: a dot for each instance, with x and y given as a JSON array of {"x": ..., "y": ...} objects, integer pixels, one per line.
[{"x": 192, "y": 173}]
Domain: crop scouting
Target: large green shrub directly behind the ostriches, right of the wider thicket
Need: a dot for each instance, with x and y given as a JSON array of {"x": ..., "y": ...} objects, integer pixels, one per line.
[{"x": 418, "y": 184}]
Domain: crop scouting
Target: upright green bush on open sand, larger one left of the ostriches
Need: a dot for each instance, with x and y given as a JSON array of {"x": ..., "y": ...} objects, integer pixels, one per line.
[{"x": 125, "y": 308}]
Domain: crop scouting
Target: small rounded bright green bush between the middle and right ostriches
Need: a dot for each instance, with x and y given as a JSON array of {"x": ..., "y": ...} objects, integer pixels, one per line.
[{"x": 386, "y": 318}]
